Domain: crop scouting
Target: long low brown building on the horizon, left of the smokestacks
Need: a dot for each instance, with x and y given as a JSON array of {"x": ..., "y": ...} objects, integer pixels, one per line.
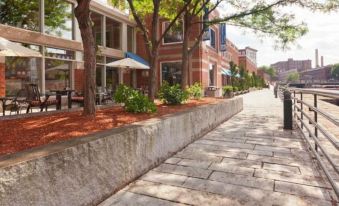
[{"x": 291, "y": 64}]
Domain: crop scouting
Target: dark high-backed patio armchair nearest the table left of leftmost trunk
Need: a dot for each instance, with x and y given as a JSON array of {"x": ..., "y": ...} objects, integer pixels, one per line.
[{"x": 34, "y": 98}]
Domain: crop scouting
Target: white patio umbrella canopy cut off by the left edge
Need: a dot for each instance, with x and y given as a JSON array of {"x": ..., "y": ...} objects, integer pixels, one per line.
[{"x": 11, "y": 49}]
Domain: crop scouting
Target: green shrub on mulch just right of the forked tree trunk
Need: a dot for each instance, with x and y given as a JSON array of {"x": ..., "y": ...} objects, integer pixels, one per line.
[{"x": 172, "y": 94}]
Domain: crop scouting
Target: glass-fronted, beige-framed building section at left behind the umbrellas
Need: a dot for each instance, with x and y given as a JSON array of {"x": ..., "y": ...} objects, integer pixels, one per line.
[{"x": 59, "y": 42}]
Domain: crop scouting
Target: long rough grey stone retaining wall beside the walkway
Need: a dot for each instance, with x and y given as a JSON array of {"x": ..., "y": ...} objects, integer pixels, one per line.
[{"x": 87, "y": 170}]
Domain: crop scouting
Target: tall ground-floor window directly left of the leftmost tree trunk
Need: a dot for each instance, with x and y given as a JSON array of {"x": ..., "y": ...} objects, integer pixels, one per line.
[{"x": 58, "y": 67}]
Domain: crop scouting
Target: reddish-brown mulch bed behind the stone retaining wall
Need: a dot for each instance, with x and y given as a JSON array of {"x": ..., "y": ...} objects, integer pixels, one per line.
[{"x": 21, "y": 134}]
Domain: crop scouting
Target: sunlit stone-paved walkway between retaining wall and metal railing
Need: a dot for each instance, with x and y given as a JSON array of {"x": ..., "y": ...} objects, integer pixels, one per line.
[{"x": 248, "y": 160}]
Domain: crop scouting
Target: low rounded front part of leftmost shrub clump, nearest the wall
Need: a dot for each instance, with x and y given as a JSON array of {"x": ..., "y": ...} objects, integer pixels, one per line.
[{"x": 139, "y": 103}]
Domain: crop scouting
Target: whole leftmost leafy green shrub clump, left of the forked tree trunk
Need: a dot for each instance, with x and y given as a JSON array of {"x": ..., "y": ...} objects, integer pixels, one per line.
[{"x": 134, "y": 101}]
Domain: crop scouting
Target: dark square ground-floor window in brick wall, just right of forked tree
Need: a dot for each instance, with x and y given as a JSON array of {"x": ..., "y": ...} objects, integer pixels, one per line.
[{"x": 171, "y": 72}]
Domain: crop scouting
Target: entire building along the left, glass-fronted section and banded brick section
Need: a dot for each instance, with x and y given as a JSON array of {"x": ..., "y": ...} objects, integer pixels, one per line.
[{"x": 61, "y": 64}]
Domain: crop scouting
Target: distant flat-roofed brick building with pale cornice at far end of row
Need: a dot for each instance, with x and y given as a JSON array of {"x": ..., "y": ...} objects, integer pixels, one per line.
[{"x": 248, "y": 59}]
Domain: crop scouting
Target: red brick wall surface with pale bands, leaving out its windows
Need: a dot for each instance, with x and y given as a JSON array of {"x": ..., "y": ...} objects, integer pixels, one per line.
[{"x": 199, "y": 63}]
